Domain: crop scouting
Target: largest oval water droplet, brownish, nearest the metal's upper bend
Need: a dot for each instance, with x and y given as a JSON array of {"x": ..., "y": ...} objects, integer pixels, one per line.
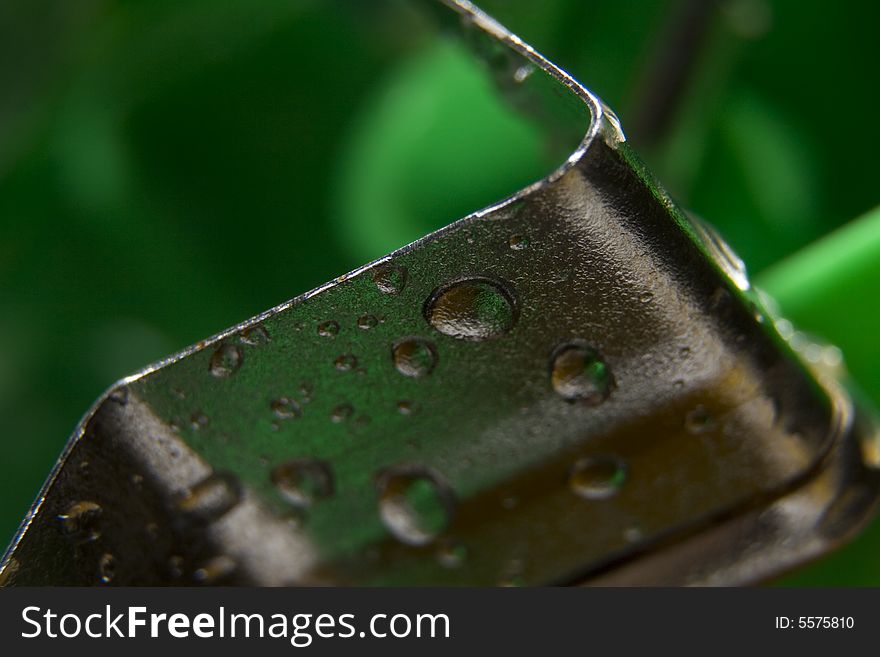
[{"x": 472, "y": 309}]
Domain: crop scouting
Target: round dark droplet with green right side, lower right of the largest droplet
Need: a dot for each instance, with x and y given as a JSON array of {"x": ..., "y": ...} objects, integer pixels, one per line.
[{"x": 578, "y": 373}]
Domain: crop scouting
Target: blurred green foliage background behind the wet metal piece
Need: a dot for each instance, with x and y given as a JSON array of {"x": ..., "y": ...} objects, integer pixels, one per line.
[{"x": 168, "y": 169}]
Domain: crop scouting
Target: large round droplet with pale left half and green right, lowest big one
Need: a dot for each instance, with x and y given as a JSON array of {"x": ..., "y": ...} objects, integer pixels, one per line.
[{"x": 415, "y": 505}]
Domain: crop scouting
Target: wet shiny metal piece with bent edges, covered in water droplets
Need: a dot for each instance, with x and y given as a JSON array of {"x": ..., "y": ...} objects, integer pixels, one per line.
[{"x": 575, "y": 385}]
